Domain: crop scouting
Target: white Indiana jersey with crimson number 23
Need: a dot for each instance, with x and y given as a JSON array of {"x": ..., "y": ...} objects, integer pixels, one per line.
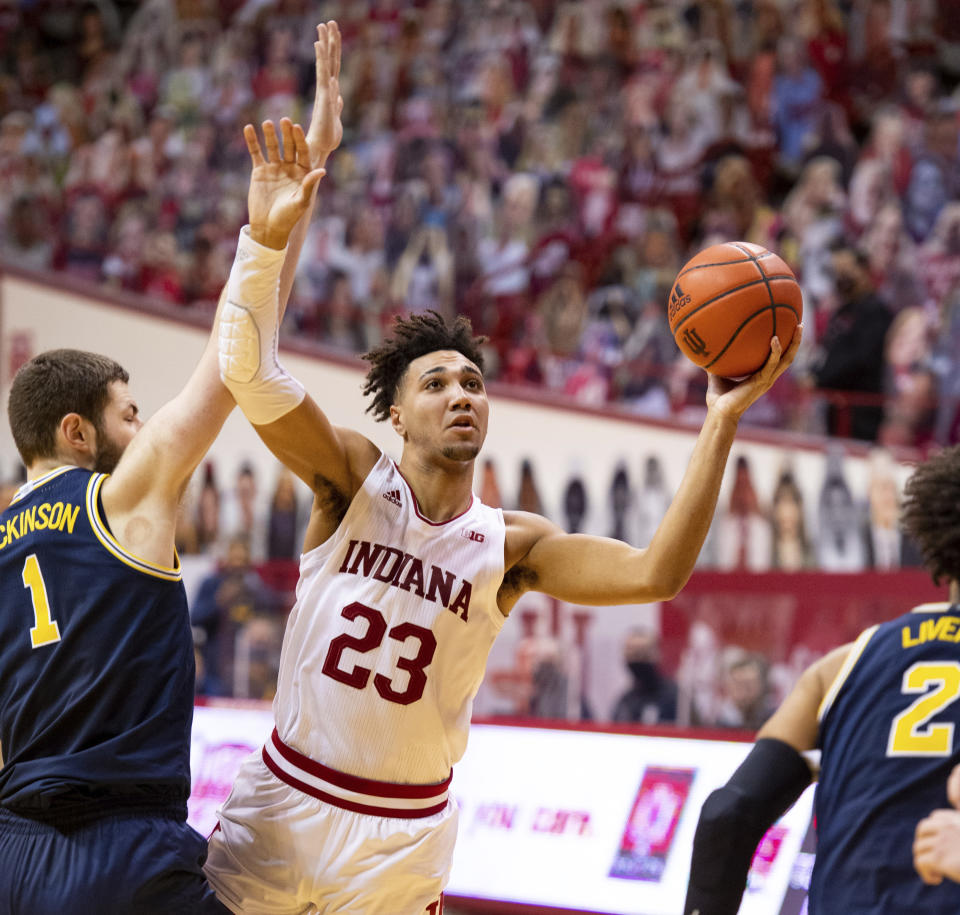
[{"x": 387, "y": 643}]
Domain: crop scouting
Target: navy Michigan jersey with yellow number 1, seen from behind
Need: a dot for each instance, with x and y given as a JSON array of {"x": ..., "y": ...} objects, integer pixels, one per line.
[{"x": 96, "y": 659}]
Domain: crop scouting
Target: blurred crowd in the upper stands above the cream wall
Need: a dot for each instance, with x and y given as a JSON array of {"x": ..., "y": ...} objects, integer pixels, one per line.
[{"x": 544, "y": 167}]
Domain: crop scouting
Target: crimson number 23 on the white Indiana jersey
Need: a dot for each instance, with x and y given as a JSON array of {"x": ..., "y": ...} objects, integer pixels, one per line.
[{"x": 358, "y": 676}]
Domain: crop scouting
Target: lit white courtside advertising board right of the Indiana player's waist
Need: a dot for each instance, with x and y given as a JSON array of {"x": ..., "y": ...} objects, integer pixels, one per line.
[{"x": 601, "y": 822}]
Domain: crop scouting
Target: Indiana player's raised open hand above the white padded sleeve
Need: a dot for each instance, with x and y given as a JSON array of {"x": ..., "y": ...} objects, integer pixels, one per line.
[{"x": 281, "y": 183}]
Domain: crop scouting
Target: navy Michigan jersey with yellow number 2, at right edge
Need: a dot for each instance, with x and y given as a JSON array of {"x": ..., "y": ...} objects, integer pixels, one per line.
[{"x": 888, "y": 736}]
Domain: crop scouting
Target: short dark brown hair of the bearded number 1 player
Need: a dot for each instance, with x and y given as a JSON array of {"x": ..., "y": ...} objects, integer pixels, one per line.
[{"x": 51, "y": 385}]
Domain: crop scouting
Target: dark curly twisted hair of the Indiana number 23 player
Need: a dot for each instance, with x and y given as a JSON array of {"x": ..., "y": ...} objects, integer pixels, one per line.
[{"x": 412, "y": 338}]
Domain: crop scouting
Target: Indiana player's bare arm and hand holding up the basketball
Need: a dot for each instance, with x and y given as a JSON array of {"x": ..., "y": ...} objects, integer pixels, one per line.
[{"x": 583, "y": 569}]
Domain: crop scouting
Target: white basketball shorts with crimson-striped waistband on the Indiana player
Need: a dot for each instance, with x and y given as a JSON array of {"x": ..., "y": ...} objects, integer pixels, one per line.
[{"x": 279, "y": 850}]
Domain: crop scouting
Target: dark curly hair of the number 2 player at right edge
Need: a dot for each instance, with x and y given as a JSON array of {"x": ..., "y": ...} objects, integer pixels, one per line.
[{"x": 931, "y": 513}]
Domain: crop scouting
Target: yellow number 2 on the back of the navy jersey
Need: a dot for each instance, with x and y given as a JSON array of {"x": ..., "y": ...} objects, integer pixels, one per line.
[{"x": 911, "y": 734}]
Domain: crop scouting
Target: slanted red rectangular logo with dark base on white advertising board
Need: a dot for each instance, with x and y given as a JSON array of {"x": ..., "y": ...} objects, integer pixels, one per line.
[{"x": 648, "y": 835}]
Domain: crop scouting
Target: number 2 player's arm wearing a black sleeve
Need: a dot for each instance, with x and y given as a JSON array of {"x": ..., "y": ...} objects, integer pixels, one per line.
[{"x": 735, "y": 818}]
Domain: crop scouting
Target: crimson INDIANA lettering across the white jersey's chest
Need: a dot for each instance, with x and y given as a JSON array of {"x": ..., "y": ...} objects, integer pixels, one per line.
[{"x": 408, "y": 573}]
